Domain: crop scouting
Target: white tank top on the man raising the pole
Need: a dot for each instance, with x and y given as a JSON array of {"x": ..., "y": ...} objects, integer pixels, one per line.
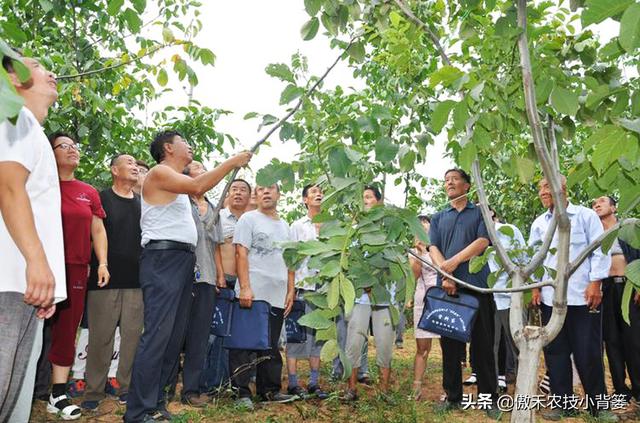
[{"x": 170, "y": 222}]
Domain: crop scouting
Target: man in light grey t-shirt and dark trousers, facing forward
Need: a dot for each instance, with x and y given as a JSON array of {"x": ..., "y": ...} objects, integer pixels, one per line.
[{"x": 263, "y": 275}]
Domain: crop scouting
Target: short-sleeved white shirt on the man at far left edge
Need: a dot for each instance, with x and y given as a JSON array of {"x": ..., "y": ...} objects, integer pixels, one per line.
[{"x": 26, "y": 144}]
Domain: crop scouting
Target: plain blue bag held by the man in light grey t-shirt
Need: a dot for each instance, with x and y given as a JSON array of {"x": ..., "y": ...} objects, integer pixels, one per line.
[{"x": 250, "y": 327}]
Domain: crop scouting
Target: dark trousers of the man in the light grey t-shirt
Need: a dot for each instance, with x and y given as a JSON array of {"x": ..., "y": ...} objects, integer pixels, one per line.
[{"x": 269, "y": 372}]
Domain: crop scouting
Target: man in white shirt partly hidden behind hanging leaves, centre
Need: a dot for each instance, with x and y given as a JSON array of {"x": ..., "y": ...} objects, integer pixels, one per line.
[{"x": 304, "y": 229}]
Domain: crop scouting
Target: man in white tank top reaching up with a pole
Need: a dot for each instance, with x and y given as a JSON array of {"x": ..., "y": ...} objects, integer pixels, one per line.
[{"x": 167, "y": 265}]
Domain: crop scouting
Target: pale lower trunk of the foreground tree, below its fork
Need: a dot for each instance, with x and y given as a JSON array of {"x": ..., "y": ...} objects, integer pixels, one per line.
[{"x": 527, "y": 380}]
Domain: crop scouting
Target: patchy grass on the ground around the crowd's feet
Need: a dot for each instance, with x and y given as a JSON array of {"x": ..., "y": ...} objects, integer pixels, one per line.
[{"x": 372, "y": 406}]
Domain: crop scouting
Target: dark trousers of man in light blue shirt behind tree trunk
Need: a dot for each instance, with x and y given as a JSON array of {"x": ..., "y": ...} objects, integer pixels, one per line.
[{"x": 581, "y": 335}]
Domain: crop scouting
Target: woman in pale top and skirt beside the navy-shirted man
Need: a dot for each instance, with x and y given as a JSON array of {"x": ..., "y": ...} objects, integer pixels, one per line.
[{"x": 425, "y": 278}]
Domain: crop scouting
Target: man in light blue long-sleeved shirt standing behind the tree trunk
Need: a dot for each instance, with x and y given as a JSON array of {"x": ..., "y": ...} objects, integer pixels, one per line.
[{"x": 581, "y": 334}]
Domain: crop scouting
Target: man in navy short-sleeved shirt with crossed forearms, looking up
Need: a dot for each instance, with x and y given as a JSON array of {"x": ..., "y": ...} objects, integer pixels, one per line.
[{"x": 458, "y": 234}]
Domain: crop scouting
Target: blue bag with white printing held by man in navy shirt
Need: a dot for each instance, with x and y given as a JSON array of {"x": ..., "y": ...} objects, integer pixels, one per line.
[{"x": 449, "y": 316}]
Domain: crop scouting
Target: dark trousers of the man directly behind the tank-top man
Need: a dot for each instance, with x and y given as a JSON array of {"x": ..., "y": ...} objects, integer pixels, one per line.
[{"x": 195, "y": 351}]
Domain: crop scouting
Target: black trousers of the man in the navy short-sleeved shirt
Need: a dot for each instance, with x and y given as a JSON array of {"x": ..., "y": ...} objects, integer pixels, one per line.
[{"x": 481, "y": 351}]
